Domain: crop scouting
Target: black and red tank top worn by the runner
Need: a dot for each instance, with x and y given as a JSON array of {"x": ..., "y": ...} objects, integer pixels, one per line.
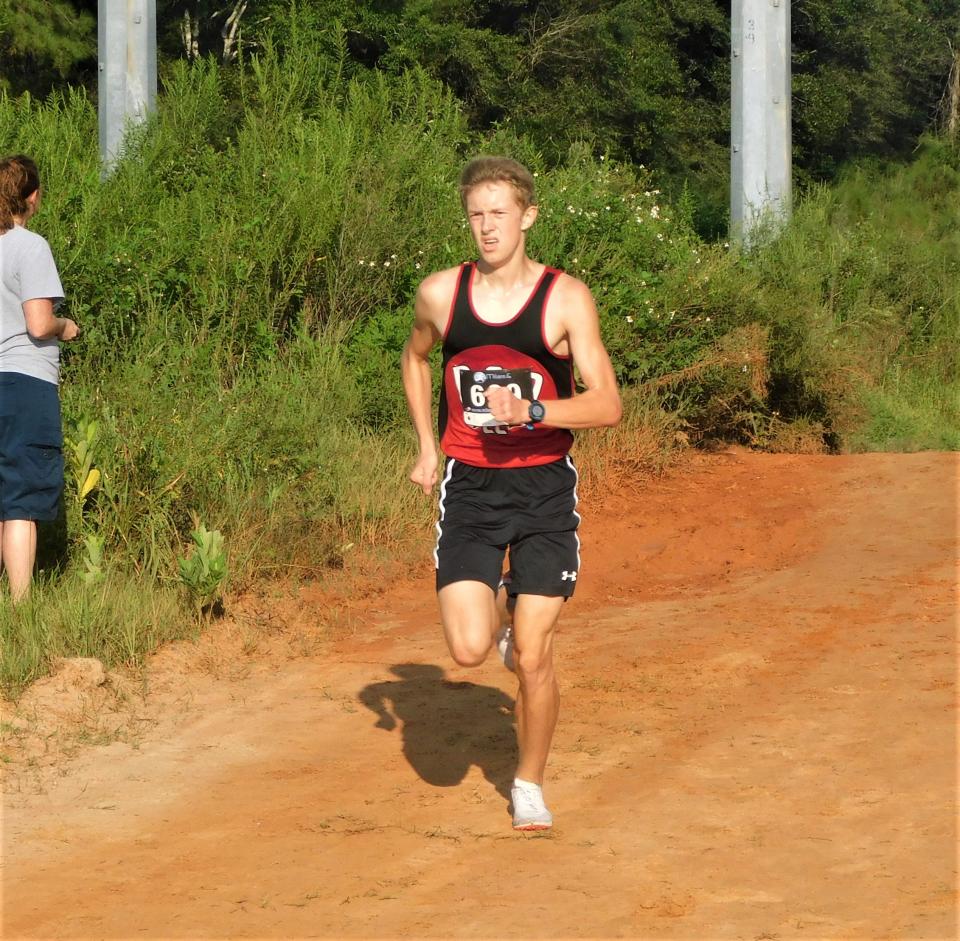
[{"x": 477, "y": 354}]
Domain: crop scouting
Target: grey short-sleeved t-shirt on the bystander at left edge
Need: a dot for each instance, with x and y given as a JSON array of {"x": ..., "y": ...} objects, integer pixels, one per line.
[{"x": 27, "y": 272}]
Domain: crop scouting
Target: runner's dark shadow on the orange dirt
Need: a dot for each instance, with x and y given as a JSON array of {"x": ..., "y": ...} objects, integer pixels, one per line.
[{"x": 447, "y": 727}]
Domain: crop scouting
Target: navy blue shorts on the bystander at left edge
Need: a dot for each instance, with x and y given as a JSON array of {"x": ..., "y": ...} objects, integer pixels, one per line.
[{"x": 31, "y": 448}]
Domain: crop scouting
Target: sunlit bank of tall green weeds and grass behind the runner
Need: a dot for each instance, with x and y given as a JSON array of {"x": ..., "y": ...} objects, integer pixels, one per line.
[{"x": 244, "y": 280}]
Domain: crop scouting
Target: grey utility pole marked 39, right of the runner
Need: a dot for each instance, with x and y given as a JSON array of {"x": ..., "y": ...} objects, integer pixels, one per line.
[{"x": 760, "y": 136}]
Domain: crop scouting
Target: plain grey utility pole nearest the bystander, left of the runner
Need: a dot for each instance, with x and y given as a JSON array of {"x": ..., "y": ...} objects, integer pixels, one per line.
[{"x": 127, "y": 73}]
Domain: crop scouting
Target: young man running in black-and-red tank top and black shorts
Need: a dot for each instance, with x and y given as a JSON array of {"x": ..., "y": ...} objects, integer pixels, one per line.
[{"x": 512, "y": 330}]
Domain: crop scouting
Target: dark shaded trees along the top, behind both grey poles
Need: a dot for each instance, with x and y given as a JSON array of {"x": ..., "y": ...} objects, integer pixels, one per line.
[{"x": 643, "y": 81}]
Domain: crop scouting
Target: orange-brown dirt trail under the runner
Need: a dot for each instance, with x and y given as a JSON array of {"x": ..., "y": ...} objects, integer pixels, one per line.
[{"x": 757, "y": 740}]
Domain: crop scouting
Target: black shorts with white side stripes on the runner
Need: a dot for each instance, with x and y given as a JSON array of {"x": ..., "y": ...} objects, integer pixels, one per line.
[{"x": 532, "y": 511}]
